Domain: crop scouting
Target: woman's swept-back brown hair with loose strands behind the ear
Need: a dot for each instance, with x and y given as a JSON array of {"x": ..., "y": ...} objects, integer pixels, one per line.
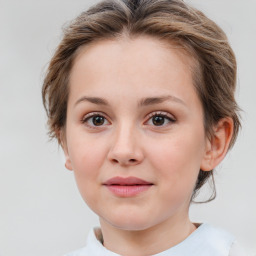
[{"x": 170, "y": 20}]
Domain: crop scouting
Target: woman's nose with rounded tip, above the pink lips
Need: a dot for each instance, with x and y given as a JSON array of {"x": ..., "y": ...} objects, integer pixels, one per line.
[{"x": 126, "y": 149}]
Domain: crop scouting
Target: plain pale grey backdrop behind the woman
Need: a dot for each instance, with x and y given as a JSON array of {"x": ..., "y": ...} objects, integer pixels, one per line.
[{"x": 41, "y": 211}]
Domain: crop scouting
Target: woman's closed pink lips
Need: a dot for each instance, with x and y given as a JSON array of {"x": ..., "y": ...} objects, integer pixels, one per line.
[{"x": 127, "y": 187}]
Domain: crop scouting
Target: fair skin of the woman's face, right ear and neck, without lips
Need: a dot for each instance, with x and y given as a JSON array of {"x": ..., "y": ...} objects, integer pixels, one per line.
[{"x": 123, "y": 73}]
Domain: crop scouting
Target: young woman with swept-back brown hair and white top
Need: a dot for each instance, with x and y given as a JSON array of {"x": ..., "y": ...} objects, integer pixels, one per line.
[{"x": 140, "y": 95}]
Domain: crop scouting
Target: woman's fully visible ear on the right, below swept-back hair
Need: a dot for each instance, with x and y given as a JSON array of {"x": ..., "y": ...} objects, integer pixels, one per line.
[{"x": 217, "y": 146}]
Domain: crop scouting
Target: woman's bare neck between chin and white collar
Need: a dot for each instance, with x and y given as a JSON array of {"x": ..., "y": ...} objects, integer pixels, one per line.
[{"x": 148, "y": 241}]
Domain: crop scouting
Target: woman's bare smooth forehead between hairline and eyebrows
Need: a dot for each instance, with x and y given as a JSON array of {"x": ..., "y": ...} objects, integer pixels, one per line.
[{"x": 142, "y": 64}]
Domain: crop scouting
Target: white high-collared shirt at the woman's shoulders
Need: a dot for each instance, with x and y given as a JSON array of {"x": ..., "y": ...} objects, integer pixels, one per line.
[{"x": 205, "y": 240}]
